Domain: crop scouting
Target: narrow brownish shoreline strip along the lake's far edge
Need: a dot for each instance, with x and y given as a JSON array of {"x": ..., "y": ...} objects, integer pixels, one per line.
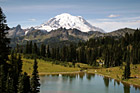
[{"x": 76, "y": 72}]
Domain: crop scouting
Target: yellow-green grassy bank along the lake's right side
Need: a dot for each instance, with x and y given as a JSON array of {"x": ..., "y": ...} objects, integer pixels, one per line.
[{"x": 117, "y": 72}]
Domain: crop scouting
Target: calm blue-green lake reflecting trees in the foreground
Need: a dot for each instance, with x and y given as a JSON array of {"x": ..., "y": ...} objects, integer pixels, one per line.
[{"x": 83, "y": 83}]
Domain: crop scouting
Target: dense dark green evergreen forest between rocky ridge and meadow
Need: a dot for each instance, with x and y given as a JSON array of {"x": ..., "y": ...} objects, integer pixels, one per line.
[{"x": 111, "y": 50}]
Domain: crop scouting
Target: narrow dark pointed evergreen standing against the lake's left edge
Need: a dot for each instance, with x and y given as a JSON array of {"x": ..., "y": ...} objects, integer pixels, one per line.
[{"x": 35, "y": 79}]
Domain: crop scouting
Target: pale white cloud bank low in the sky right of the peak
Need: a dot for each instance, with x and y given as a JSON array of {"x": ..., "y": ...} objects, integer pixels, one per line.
[{"x": 113, "y": 24}]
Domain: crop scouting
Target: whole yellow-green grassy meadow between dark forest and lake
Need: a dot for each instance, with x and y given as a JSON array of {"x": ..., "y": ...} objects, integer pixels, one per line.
[{"x": 47, "y": 67}]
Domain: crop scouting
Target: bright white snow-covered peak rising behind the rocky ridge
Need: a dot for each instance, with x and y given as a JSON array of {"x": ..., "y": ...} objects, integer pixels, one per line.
[{"x": 68, "y": 21}]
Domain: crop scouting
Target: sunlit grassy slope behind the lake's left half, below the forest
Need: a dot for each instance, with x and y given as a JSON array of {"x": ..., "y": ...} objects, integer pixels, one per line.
[{"x": 45, "y": 67}]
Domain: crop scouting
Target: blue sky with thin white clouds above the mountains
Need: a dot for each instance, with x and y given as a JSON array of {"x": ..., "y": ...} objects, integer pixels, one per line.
[{"x": 109, "y": 15}]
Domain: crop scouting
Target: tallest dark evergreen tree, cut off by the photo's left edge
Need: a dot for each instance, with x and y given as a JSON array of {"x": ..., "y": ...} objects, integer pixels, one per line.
[{"x": 4, "y": 51}]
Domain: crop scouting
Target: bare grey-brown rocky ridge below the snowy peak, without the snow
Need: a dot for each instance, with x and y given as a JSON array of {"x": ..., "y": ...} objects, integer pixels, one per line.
[{"x": 64, "y": 35}]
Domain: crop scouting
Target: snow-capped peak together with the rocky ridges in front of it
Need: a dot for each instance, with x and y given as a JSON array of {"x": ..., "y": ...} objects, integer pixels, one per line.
[{"x": 63, "y": 28}]
